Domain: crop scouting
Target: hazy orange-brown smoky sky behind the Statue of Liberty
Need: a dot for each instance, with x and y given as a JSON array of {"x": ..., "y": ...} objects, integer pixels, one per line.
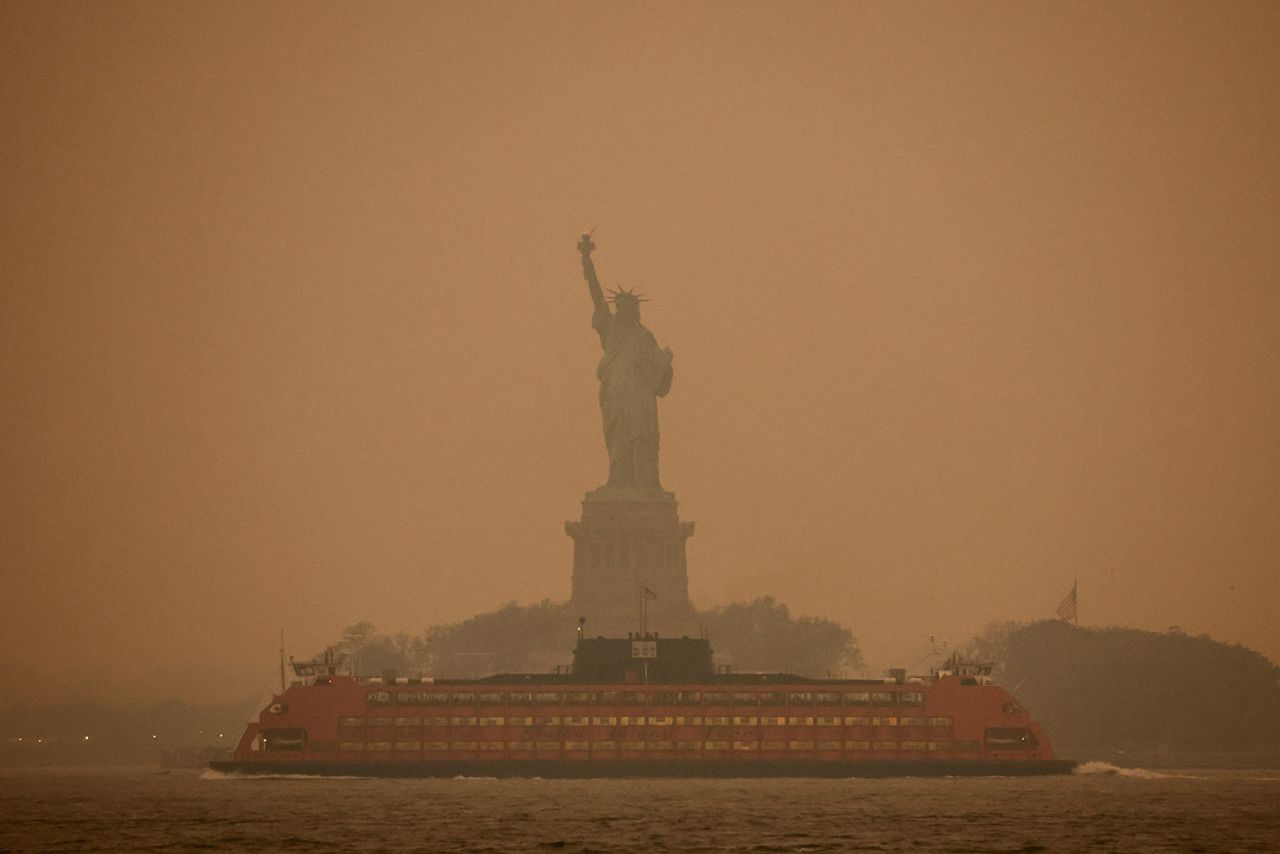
[{"x": 967, "y": 302}]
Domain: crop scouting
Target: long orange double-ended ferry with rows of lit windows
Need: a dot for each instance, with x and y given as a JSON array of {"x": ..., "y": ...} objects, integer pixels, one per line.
[{"x": 646, "y": 707}]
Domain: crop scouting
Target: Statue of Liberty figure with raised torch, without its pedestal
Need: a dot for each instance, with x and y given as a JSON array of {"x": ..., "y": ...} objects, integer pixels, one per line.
[{"x": 634, "y": 372}]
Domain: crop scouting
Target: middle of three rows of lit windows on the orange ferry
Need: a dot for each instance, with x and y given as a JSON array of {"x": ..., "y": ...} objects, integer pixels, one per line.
[{"x": 648, "y": 720}]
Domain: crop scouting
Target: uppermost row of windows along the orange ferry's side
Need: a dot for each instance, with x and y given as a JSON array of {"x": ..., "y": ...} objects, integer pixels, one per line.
[{"x": 646, "y": 698}]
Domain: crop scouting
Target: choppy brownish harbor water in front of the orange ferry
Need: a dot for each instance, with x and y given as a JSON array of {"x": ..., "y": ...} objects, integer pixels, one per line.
[{"x": 1103, "y": 809}]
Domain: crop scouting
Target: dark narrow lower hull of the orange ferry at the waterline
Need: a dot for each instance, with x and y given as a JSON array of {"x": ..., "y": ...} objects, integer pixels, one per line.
[{"x": 675, "y": 769}]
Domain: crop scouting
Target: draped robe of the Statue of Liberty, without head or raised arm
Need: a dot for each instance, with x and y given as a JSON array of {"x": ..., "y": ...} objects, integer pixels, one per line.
[{"x": 633, "y": 375}]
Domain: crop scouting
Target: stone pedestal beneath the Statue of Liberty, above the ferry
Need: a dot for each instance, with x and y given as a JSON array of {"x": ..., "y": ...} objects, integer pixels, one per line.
[{"x": 629, "y": 541}]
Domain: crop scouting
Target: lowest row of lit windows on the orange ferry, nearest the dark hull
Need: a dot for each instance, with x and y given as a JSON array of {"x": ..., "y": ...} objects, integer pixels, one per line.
[{"x": 661, "y": 746}]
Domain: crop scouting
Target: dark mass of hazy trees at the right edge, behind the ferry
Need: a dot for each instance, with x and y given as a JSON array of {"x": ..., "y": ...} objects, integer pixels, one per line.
[{"x": 1109, "y": 692}]
